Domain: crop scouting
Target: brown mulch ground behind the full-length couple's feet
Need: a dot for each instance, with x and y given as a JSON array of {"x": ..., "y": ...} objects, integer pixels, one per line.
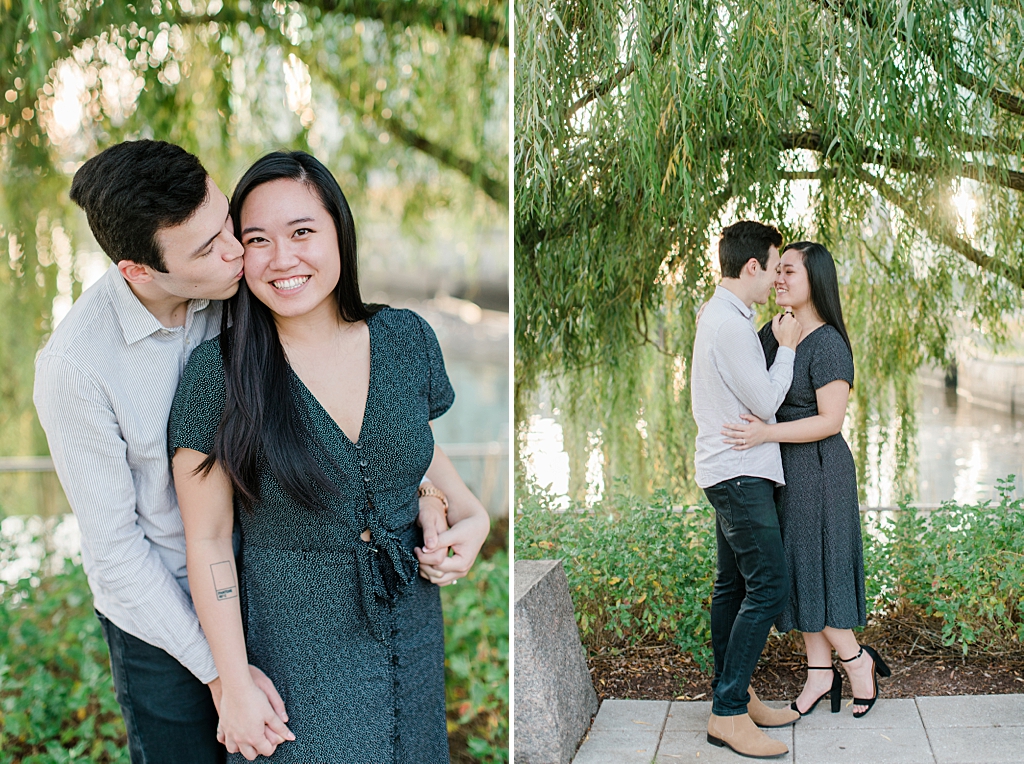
[{"x": 912, "y": 647}]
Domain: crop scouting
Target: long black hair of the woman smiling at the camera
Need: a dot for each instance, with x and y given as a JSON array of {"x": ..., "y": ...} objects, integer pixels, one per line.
[{"x": 262, "y": 419}]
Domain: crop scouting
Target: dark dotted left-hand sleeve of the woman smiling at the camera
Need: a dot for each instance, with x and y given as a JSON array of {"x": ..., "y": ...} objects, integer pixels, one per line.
[{"x": 199, "y": 403}]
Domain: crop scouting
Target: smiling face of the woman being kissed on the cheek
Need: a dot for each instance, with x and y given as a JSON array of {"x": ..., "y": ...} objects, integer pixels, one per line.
[{"x": 292, "y": 263}]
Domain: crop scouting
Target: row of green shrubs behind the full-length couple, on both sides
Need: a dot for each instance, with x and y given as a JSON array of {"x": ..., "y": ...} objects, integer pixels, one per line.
[{"x": 642, "y": 572}]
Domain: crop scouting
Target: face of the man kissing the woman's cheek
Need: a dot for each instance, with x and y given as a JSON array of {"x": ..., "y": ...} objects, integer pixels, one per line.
[{"x": 202, "y": 256}]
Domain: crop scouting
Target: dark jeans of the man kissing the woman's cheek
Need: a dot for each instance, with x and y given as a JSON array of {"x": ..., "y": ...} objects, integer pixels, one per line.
[{"x": 169, "y": 713}]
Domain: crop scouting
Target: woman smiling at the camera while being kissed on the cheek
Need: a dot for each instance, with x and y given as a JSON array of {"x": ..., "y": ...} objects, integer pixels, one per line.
[{"x": 311, "y": 415}]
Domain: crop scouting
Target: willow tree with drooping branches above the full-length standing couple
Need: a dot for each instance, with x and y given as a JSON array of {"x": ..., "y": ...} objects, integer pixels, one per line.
[{"x": 642, "y": 129}]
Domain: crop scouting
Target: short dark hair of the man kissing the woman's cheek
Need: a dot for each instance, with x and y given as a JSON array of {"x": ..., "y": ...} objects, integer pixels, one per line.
[{"x": 133, "y": 190}]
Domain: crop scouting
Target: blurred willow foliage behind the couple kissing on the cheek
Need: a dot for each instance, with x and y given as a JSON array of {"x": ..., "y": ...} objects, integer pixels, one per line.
[{"x": 413, "y": 92}]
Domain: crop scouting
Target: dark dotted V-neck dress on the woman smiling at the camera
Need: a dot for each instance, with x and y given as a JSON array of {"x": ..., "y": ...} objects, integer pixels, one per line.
[{"x": 349, "y": 632}]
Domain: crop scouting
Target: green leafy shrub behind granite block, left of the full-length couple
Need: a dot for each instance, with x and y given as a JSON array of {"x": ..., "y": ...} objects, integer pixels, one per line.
[{"x": 637, "y": 571}]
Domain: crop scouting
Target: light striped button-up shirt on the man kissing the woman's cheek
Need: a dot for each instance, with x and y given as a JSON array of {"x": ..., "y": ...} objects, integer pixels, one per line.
[{"x": 104, "y": 390}]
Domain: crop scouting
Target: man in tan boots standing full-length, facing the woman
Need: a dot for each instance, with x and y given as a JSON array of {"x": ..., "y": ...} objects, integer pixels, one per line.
[{"x": 730, "y": 379}]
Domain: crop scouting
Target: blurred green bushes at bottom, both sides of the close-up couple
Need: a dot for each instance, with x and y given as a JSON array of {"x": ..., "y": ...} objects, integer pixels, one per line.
[{"x": 57, "y": 696}]
